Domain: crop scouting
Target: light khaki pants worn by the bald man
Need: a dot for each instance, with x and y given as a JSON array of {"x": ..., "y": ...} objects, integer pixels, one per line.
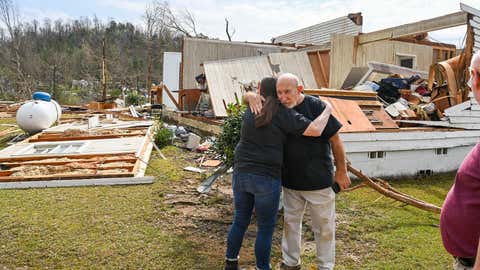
[{"x": 322, "y": 212}]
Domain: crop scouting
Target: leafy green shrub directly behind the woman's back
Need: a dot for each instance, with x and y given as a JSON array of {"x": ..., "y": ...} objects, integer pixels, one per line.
[{"x": 230, "y": 136}]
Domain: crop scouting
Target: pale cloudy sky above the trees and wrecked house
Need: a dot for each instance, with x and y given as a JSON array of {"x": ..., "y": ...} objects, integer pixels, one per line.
[{"x": 259, "y": 20}]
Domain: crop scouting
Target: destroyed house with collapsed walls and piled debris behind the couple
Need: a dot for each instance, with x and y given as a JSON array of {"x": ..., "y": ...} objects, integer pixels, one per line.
[{"x": 436, "y": 123}]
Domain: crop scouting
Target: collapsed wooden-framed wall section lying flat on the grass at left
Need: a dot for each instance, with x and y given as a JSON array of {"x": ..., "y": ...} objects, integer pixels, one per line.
[{"x": 74, "y": 152}]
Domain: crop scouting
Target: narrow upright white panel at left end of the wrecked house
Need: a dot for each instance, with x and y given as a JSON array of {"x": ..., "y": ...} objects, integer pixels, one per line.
[{"x": 171, "y": 75}]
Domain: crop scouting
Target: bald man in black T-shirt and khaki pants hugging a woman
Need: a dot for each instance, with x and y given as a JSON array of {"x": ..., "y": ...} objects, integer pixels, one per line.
[{"x": 308, "y": 176}]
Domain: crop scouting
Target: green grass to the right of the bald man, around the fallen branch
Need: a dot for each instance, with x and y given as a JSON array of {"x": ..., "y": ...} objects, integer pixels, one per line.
[{"x": 376, "y": 232}]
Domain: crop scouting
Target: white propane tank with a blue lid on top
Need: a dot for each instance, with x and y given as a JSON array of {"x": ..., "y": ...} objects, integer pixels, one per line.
[{"x": 38, "y": 114}]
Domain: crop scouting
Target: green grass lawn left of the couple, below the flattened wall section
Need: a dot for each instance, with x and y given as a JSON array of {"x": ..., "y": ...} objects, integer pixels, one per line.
[{"x": 92, "y": 228}]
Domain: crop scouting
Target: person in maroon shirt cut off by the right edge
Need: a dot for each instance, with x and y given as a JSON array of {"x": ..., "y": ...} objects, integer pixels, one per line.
[{"x": 460, "y": 216}]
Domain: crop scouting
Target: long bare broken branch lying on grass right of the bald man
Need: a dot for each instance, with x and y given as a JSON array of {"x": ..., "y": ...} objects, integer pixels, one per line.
[{"x": 390, "y": 192}]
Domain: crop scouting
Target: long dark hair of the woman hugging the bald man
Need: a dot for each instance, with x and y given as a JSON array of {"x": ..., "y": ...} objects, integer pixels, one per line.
[{"x": 268, "y": 90}]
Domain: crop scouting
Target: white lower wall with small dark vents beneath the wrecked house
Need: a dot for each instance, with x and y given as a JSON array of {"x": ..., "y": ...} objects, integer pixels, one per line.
[{"x": 406, "y": 153}]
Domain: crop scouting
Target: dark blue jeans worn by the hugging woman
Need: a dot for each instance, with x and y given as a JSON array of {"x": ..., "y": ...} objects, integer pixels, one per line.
[{"x": 262, "y": 193}]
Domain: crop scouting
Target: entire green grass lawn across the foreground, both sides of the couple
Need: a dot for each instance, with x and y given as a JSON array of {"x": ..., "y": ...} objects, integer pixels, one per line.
[{"x": 132, "y": 227}]
